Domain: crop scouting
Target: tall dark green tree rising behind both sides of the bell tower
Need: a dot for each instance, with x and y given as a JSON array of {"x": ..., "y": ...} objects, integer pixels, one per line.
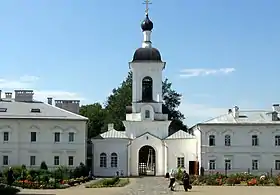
[{"x": 122, "y": 97}]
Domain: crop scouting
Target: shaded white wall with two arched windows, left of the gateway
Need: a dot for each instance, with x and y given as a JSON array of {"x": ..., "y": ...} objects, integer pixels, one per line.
[{"x": 108, "y": 146}]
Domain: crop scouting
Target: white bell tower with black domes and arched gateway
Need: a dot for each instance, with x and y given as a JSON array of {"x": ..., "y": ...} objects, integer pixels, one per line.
[{"x": 145, "y": 147}]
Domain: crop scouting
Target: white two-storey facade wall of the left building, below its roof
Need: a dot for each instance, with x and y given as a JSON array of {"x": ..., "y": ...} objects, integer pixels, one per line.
[{"x": 19, "y": 147}]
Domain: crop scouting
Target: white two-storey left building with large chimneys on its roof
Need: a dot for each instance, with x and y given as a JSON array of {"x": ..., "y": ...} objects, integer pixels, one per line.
[{"x": 32, "y": 132}]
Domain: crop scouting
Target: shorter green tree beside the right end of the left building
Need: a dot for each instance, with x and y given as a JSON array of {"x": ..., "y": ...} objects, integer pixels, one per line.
[{"x": 96, "y": 115}]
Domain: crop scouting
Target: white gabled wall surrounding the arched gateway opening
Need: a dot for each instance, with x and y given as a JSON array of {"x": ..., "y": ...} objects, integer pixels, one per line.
[{"x": 152, "y": 141}]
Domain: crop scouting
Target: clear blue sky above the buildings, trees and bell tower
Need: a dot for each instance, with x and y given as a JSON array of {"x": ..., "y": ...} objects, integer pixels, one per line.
[{"x": 227, "y": 50}]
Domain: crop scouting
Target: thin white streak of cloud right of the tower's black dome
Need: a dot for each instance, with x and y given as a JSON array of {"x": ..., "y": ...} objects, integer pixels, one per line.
[{"x": 205, "y": 72}]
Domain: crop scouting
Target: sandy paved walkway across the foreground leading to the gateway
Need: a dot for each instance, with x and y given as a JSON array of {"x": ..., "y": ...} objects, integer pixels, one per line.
[{"x": 157, "y": 186}]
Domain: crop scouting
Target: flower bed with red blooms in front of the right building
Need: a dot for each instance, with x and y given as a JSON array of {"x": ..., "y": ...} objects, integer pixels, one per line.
[{"x": 235, "y": 179}]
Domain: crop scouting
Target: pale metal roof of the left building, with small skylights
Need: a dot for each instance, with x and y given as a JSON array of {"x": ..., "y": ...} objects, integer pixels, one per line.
[{"x": 22, "y": 110}]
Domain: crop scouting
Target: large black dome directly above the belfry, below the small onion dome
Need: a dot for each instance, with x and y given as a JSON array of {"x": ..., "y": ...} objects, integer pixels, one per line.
[{"x": 146, "y": 54}]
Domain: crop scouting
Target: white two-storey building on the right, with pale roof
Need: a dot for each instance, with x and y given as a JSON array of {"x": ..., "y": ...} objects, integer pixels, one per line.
[{"x": 241, "y": 141}]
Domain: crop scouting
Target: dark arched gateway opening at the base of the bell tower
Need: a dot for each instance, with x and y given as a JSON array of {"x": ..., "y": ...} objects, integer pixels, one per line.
[{"x": 147, "y": 161}]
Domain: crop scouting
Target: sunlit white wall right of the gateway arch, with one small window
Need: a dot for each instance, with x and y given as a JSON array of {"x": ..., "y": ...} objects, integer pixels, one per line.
[{"x": 181, "y": 148}]
